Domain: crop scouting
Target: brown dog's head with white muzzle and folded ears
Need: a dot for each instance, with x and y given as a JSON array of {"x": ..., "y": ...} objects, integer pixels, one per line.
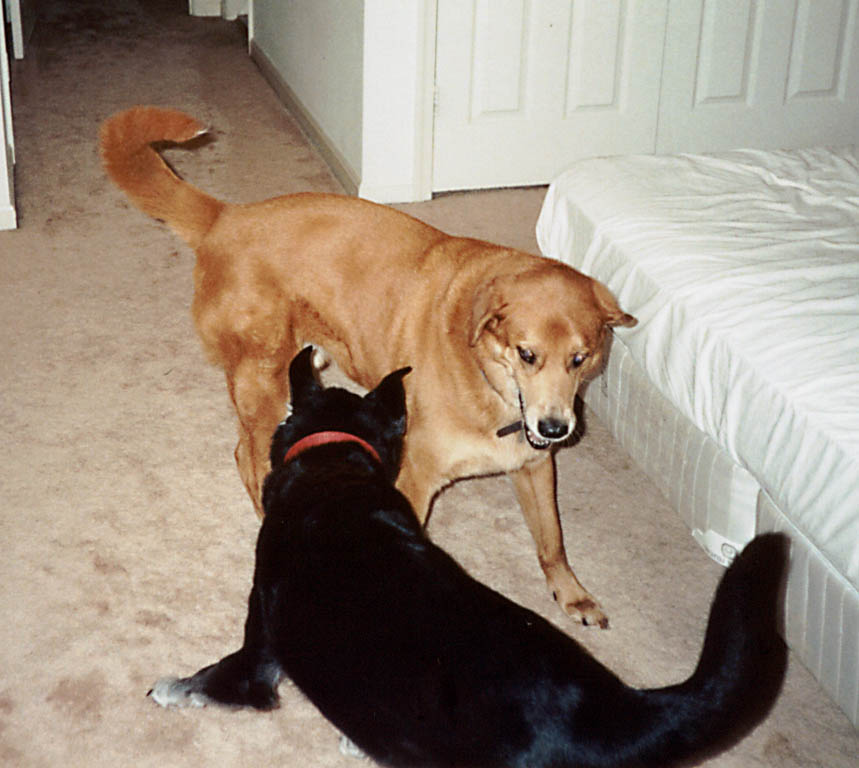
[{"x": 536, "y": 335}]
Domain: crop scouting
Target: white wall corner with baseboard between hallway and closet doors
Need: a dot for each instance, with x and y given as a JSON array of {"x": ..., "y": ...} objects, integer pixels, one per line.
[{"x": 359, "y": 75}]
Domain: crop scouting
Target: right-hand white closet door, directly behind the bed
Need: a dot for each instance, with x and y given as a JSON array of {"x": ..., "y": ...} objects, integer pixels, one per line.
[{"x": 748, "y": 73}]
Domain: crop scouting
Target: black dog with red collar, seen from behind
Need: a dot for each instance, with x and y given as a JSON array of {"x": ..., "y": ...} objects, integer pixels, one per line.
[{"x": 421, "y": 665}]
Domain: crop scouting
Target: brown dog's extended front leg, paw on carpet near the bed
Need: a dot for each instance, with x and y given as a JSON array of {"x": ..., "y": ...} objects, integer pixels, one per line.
[{"x": 535, "y": 489}]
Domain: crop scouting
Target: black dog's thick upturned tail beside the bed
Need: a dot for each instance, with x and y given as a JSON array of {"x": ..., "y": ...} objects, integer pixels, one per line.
[{"x": 738, "y": 676}]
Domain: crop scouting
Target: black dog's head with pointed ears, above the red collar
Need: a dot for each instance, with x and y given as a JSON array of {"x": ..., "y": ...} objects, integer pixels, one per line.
[{"x": 379, "y": 417}]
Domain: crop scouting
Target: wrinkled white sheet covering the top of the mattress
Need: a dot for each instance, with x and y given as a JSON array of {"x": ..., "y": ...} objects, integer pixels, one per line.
[{"x": 743, "y": 270}]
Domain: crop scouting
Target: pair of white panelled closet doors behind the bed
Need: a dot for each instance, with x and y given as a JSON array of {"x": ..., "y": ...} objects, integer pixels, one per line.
[{"x": 524, "y": 87}]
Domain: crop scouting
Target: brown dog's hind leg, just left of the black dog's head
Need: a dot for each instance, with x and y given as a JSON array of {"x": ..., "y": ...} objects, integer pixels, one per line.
[{"x": 259, "y": 391}]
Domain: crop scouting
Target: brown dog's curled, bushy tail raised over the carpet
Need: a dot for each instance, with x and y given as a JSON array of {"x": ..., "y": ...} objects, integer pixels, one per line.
[{"x": 138, "y": 169}]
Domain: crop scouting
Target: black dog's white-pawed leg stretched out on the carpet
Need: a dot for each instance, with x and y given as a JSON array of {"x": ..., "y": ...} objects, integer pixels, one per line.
[{"x": 247, "y": 678}]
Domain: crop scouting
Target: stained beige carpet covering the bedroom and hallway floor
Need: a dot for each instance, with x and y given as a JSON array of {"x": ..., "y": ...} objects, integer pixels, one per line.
[{"x": 127, "y": 535}]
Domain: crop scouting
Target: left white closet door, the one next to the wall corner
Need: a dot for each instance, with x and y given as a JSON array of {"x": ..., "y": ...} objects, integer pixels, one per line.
[{"x": 524, "y": 87}]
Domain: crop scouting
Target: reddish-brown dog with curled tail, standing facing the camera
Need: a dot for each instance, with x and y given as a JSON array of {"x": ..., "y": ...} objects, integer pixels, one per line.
[{"x": 496, "y": 338}]
